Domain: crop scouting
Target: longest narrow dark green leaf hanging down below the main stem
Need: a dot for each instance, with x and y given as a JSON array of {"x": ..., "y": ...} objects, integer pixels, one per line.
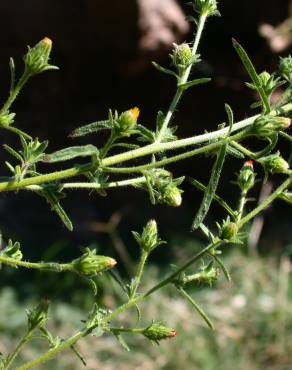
[{"x": 211, "y": 188}]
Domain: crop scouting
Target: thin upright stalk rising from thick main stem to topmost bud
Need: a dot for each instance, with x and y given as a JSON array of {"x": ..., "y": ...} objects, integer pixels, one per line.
[{"x": 184, "y": 78}]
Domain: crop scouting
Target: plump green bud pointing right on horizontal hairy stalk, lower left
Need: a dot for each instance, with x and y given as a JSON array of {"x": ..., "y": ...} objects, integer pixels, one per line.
[{"x": 90, "y": 264}]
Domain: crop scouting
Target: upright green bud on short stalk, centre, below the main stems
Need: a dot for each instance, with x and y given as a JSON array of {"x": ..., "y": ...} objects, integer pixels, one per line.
[{"x": 149, "y": 239}]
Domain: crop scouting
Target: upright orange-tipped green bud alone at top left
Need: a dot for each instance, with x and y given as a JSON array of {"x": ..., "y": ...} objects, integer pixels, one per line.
[{"x": 37, "y": 58}]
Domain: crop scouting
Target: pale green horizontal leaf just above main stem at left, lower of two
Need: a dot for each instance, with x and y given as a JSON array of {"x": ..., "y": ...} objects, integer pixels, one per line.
[{"x": 70, "y": 153}]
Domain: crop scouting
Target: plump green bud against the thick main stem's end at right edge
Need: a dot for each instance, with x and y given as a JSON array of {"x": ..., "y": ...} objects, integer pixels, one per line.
[{"x": 268, "y": 126}]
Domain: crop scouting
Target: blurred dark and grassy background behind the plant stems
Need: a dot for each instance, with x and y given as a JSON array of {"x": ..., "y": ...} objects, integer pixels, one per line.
[{"x": 104, "y": 51}]
